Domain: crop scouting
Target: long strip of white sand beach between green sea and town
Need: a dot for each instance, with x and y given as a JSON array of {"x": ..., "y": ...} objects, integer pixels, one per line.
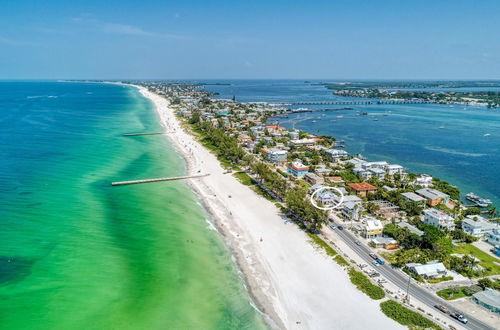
[{"x": 295, "y": 285}]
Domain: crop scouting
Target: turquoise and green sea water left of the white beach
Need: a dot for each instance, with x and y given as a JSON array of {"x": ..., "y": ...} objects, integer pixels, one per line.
[{"x": 76, "y": 253}]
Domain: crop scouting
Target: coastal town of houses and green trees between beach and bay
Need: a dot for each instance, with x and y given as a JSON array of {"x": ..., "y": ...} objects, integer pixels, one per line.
[{"x": 446, "y": 244}]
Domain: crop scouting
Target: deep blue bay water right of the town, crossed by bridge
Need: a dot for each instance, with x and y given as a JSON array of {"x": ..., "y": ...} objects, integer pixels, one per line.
[{"x": 457, "y": 143}]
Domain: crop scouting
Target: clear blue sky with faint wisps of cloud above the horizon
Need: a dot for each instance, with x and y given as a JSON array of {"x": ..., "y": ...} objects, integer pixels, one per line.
[{"x": 250, "y": 39}]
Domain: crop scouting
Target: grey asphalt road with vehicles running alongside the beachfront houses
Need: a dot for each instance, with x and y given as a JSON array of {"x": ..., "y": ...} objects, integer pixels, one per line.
[{"x": 400, "y": 279}]
